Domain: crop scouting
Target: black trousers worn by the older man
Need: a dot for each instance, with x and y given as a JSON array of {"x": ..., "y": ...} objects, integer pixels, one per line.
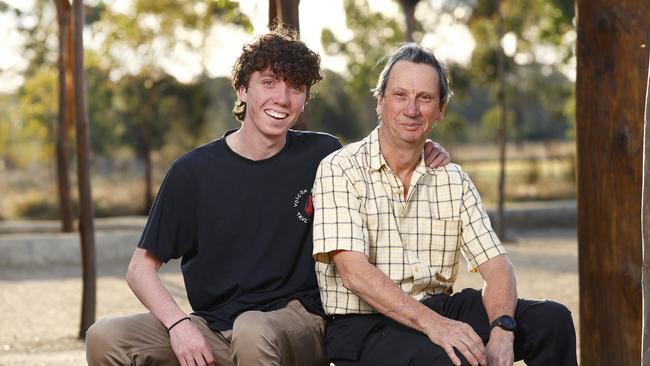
[{"x": 545, "y": 334}]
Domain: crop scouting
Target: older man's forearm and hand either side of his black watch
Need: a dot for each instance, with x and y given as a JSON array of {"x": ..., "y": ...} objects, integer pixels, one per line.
[{"x": 499, "y": 298}]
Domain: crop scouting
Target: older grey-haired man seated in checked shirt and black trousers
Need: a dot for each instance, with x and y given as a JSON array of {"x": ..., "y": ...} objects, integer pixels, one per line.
[{"x": 388, "y": 232}]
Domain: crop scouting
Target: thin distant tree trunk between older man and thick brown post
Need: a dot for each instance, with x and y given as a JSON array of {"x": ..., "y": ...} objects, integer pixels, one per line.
[{"x": 502, "y": 130}]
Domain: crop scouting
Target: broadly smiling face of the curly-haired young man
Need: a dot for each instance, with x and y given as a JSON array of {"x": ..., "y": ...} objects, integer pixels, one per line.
[{"x": 272, "y": 104}]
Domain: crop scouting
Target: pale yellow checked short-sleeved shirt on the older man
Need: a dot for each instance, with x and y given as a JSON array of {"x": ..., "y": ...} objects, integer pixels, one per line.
[{"x": 359, "y": 205}]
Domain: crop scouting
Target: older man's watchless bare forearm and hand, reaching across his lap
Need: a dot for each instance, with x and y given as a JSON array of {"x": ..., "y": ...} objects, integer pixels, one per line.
[{"x": 375, "y": 288}]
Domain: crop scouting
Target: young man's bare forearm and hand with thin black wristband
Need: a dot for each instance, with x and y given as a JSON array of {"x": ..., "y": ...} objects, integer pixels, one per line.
[{"x": 188, "y": 343}]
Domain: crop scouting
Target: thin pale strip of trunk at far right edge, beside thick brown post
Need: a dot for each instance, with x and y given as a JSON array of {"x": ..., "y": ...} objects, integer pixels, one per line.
[{"x": 645, "y": 228}]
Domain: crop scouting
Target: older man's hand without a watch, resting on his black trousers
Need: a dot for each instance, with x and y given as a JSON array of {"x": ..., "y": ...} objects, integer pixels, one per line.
[{"x": 451, "y": 334}]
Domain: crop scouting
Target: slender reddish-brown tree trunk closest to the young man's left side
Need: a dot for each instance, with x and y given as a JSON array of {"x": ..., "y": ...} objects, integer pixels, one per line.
[{"x": 86, "y": 224}]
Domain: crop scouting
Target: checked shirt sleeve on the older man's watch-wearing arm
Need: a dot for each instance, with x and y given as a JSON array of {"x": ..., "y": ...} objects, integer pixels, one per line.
[{"x": 480, "y": 243}]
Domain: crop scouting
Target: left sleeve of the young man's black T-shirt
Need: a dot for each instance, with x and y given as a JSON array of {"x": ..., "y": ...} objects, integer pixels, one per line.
[{"x": 171, "y": 228}]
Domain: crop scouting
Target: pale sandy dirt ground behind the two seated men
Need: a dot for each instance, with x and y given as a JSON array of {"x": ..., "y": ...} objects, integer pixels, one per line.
[{"x": 40, "y": 306}]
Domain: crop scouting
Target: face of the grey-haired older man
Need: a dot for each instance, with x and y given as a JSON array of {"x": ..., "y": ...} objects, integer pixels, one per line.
[{"x": 410, "y": 105}]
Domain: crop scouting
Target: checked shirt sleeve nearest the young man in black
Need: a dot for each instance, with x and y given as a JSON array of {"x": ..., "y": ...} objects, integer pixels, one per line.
[{"x": 337, "y": 220}]
